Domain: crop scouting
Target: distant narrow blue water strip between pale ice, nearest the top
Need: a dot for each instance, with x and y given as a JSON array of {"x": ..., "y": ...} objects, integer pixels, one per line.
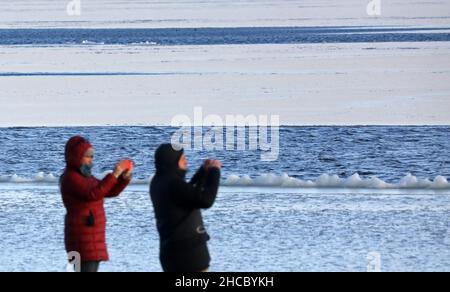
[{"x": 222, "y": 36}]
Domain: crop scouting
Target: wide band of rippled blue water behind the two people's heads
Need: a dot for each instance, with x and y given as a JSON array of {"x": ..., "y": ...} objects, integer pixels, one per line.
[{"x": 388, "y": 153}]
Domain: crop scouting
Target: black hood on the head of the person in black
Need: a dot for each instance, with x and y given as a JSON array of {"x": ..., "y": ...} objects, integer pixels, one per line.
[{"x": 167, "y": 158}]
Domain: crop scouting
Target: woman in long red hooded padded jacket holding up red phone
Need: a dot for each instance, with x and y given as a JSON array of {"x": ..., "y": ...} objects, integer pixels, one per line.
[{"x": 83, "y": 196}]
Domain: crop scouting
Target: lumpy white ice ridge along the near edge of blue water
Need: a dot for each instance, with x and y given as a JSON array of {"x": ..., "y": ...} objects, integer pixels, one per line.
[{"x": 284, "y": 181}]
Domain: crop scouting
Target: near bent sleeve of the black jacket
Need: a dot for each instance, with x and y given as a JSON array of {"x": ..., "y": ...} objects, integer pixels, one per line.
[{"x": 200, "y": 195}]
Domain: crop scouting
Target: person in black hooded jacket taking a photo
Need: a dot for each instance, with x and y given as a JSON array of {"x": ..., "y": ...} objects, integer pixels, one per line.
[{"x": 177, "y": 204}]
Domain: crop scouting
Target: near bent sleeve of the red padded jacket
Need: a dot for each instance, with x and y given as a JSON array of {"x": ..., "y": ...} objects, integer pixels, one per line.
[{"x": 85, "y": 189}]
